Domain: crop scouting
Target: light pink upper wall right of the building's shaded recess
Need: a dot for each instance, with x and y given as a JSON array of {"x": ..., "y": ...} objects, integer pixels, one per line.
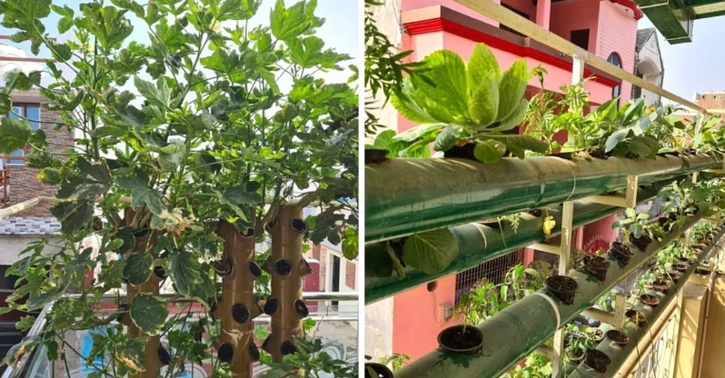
[{"x": 617, "y": 33}]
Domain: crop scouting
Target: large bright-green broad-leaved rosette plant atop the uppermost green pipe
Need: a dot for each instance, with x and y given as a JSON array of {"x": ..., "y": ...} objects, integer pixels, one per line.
[{"x": 457, "y": 104}]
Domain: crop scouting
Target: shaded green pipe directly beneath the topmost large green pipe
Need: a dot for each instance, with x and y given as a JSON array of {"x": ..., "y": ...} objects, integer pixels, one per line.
[{"x": 478, "y": 244}]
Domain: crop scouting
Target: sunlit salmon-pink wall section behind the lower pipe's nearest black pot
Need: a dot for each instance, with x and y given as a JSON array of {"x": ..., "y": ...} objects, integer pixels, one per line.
[{"x": 417, "y": 318}]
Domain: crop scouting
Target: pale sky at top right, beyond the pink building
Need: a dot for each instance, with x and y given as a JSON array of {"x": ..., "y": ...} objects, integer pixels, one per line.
[{"x": 698, "y": 66}]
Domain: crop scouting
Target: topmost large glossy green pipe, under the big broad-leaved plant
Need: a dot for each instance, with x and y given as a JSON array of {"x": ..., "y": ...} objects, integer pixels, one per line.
[{"x": 406, "y": 196}]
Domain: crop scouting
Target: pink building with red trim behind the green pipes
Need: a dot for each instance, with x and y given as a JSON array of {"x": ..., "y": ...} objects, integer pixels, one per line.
[{"x": 409, "y": 322}]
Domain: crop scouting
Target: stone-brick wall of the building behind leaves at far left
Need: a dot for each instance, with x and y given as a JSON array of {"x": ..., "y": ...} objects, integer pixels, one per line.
[{"x": 24, "y": 181}]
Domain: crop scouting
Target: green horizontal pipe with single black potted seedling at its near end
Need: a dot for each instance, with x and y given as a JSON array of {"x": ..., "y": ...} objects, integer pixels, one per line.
[{"x": 516, "y": 332}]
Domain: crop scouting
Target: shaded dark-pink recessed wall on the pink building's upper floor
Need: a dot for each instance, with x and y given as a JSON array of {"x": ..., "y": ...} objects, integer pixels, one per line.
[{"x": 570, "y": 15}]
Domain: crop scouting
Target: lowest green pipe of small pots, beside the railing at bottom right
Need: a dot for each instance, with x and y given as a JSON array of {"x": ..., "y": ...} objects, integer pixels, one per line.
[{"x": 619, "y": 354}]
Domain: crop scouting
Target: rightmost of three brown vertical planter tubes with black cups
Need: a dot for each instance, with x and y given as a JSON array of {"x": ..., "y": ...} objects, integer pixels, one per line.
[{"x": 287, "y": 266}]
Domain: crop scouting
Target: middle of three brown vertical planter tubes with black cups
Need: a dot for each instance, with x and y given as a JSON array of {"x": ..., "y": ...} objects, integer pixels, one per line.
[{"x": 238, "y": 307}]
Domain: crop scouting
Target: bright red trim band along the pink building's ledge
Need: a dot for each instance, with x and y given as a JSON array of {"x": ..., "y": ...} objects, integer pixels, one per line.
[{"x": 438, "y": 25}]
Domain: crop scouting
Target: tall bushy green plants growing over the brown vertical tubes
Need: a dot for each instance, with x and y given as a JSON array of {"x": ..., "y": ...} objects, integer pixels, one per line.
[{"x": 212, "y": 118}]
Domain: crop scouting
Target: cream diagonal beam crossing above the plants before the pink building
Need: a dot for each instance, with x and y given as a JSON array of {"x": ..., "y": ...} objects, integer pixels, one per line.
[{"x": 512, "y": 20}]
